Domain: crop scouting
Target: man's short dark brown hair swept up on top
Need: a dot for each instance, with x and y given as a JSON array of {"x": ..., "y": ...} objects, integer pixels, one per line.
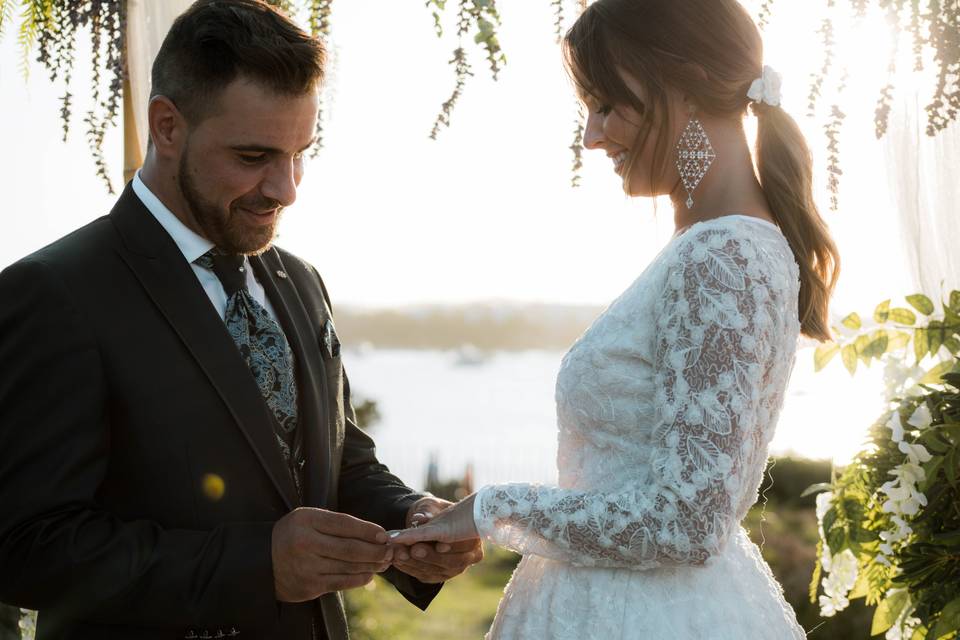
[{"x": 214, "y": 42}]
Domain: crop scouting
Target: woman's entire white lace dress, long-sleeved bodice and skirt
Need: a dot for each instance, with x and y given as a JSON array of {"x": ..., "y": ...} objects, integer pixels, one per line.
[{"x": 666, "y": 407}]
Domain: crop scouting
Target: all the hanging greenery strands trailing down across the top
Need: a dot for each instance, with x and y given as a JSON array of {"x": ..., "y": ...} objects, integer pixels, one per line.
[{"x": 51, "y": 27}]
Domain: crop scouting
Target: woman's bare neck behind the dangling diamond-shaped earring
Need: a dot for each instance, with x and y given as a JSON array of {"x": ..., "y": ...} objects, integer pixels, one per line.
[{"x": 730, "y": 184}]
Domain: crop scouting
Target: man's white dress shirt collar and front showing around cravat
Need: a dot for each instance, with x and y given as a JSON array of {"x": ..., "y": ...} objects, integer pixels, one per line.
[{"x": 192, "y": 246}]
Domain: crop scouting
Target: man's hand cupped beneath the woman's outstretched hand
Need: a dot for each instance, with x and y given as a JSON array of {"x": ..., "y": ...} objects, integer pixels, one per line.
[{"x": 430, "y": 562}]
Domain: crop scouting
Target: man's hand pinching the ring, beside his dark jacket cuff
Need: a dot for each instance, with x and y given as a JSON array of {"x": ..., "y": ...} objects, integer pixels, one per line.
[{"x": 316, "y": 551}]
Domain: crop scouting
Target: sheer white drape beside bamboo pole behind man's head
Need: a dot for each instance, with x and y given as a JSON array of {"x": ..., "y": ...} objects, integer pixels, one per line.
[{"x": 147, "y": 23}]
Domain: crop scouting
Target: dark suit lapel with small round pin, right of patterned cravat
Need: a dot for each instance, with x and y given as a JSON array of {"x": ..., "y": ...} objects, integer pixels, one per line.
[{"x": 311, "y": 374}]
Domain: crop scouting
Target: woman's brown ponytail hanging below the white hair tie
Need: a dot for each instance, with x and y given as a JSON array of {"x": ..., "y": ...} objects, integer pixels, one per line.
[{"x": 785, "y": 168}]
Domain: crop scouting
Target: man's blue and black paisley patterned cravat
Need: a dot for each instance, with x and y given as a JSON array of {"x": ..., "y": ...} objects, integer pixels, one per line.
[{"x": 266, "y": 351}]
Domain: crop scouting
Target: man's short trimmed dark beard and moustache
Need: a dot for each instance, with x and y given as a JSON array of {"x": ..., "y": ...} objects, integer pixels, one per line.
[{"x": 227, "y": 229}]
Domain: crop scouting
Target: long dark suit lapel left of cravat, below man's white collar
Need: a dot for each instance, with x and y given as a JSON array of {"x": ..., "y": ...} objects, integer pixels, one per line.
[{"x": 170, "y": 283}]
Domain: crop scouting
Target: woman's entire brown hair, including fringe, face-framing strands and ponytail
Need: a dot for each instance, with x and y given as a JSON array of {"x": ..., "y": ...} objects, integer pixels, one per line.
[{"x": 673, "y": 43}]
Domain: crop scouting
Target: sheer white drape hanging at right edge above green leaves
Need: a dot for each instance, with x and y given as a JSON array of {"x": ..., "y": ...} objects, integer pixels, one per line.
[{"x": 922, "y": 173}]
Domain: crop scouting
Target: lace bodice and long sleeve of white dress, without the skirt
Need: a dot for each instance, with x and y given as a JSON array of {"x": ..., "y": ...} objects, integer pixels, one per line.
[{"x": 666, "y": 407}]
